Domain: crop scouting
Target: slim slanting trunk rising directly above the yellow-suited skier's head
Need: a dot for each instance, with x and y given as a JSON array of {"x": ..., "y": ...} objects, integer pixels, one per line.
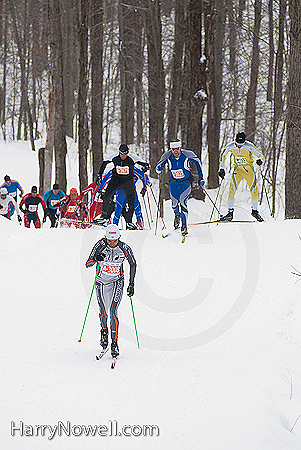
[{"x": 250, "y": 117}]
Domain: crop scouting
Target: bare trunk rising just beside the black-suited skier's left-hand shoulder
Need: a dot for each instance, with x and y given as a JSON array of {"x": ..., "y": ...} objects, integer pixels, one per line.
[{"x": 97, "y": 85}]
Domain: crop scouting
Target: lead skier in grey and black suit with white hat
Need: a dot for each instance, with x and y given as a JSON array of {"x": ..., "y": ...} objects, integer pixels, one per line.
[{"x": 111, "y": 253}]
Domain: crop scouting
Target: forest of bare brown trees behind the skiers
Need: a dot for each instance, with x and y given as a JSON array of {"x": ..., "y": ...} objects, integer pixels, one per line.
[{"x": 144, "y": 72}]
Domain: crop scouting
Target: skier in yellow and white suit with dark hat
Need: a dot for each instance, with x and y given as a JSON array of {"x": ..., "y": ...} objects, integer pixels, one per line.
[{"x": 243, "y": 152}]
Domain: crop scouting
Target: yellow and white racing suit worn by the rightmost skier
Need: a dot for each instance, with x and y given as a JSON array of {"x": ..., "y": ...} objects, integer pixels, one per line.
[{"x": 243, "y": 169}]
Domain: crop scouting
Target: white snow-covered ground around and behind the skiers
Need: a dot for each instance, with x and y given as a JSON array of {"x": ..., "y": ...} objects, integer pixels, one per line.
[{"x": 219, "y": 324}]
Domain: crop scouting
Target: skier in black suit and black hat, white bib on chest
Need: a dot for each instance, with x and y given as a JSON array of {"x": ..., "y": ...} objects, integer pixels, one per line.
[{"x": 122, "y": 178}]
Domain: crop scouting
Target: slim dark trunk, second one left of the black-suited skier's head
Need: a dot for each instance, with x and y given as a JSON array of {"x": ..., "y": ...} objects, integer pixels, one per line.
[{"x": 83, "y": 132}]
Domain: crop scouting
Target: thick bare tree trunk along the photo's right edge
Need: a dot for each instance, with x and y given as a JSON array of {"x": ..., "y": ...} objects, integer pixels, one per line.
[{"x": 293, "y": 133}]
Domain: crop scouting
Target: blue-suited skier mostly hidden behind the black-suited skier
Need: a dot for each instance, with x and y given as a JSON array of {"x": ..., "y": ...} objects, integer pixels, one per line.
[{"x": 121, "y": 201}]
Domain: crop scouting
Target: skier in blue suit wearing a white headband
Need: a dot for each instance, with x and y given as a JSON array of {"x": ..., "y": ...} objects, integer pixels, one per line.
[{"x": 178, "y": 161}]
